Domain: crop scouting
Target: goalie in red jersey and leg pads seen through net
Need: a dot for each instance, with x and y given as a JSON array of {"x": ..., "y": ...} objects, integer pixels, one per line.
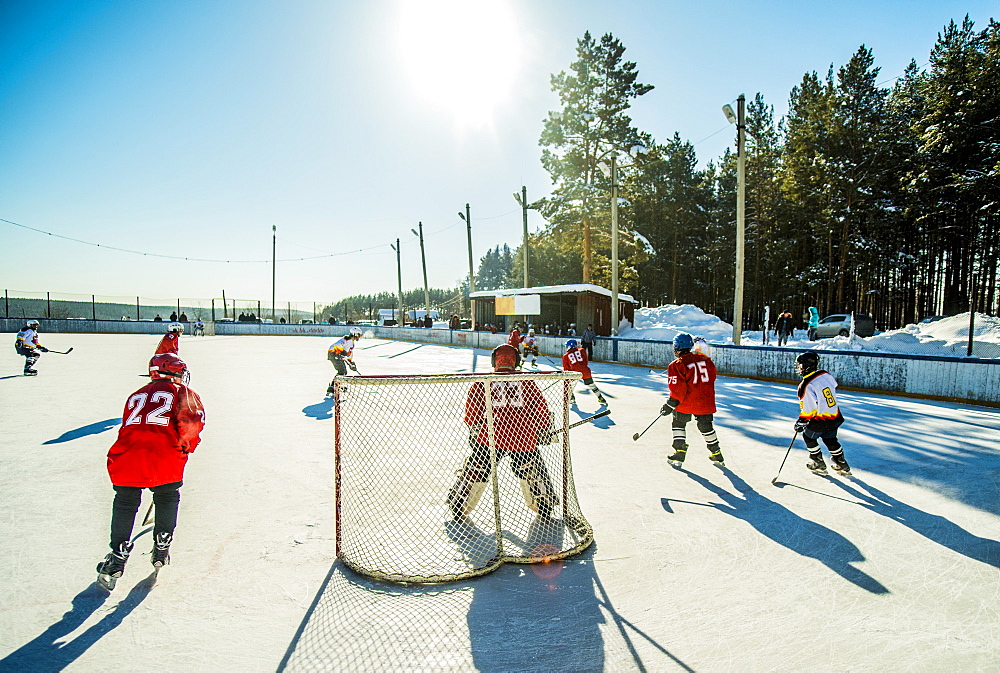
[{"x": 521, "y": 418}]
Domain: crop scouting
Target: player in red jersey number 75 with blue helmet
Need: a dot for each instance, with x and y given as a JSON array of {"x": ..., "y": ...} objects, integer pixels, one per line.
[{"x": 691, "y": 379}]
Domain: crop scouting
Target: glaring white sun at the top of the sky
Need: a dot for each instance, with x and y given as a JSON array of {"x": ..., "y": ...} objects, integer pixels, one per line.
[{"x": 461, "y": 55}]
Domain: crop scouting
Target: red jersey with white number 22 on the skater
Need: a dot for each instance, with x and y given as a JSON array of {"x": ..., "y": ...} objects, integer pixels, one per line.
[{"x": 161, "y": 425}]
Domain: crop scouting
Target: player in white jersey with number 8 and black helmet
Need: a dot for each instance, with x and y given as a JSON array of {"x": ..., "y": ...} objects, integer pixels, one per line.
[{"x": 819, "y": 414}]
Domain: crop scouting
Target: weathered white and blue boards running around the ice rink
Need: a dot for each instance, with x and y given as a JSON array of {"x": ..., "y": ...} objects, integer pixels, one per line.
[{"x": 949, "y": 378}]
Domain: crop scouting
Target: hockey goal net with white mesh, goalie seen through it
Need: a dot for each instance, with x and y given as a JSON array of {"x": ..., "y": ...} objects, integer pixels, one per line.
[{"x": 437, "y": 481}]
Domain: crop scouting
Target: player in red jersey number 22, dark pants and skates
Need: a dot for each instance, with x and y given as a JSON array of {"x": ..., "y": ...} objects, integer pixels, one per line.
[{"x": 161, "y": 426}]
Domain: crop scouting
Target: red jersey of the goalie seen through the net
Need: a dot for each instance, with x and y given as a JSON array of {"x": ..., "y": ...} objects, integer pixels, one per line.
[{"x": 519, "y": 413}]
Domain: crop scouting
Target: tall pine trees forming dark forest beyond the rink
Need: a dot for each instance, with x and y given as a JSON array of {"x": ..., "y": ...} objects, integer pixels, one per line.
[{"x": 880, "y": 200}]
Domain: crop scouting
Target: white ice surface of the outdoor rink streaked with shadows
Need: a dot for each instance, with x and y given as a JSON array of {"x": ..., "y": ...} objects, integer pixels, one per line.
[{"x": 704, "y": 569}]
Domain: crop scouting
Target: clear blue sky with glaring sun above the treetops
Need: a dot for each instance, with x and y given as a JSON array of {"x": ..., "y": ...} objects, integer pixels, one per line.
[{"x": 188, "y": 128}]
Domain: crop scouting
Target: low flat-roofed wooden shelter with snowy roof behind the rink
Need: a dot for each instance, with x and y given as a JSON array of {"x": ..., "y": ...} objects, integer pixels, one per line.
[{"x": 561, "y": 305}]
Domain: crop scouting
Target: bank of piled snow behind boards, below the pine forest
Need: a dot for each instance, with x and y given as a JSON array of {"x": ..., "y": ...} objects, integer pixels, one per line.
[{"x": 945, "y": 337}]
